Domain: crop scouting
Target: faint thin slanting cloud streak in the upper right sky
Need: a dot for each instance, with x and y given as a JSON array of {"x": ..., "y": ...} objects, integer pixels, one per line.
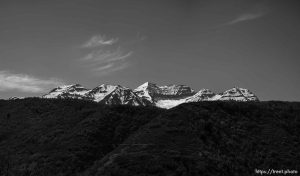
[{"x": 255, "y": 13}]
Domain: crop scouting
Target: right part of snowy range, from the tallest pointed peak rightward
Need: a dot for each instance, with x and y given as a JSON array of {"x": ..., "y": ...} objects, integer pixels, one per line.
[{"x": 173, "y": 95}]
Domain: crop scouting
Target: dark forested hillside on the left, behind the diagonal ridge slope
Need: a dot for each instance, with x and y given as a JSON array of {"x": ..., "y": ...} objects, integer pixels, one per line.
[{"x": 62, "y": 137}]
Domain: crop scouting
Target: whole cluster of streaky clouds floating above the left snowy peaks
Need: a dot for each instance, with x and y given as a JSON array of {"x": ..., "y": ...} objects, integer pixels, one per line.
[{"x": 106, "y": 56}]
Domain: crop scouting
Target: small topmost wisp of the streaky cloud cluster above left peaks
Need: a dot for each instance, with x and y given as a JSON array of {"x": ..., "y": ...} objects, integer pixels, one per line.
[{"x": 99, "y": 40}]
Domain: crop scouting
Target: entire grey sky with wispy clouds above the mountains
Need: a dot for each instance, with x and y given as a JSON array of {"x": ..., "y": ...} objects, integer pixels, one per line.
[{"x": 253, "y": 44}]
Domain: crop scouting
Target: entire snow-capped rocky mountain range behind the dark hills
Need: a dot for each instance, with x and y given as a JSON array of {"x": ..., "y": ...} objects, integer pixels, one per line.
[{"x": 148, "y": 94}]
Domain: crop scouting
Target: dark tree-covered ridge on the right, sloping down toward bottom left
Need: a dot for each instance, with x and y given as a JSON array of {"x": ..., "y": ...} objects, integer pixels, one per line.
[{"x": 211, "y": 138}]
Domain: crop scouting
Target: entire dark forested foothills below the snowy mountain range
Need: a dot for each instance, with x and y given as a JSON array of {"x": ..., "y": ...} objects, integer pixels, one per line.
[{"x": 73, "y": 137}]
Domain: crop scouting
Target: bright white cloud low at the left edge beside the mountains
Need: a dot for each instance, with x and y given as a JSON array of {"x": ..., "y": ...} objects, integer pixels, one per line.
[{"x": 25, "y": 83}]
